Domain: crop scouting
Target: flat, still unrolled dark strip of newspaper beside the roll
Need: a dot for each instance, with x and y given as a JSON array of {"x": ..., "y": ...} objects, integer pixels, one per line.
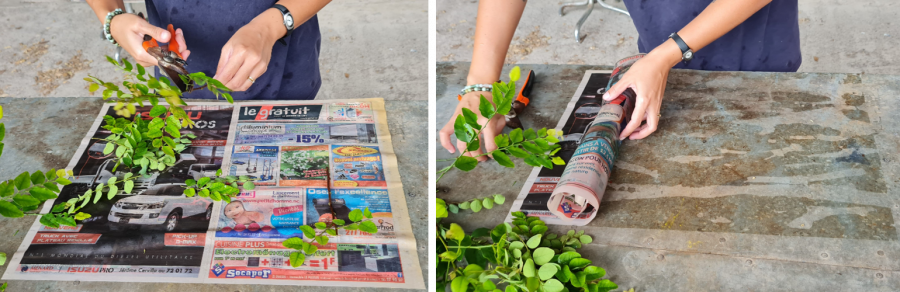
[{"x": 582, "y": 109}]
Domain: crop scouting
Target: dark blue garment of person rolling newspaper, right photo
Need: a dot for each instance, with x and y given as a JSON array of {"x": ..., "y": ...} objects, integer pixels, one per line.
[{"x": 767, "y": 41}]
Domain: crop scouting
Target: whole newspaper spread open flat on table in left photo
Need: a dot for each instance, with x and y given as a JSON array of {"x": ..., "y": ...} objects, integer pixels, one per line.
[{"x": 156, "y": 234}]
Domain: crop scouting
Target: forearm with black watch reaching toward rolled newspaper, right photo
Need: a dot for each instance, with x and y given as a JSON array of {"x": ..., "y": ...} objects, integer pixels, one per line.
[{"x": 720, "y": 17}]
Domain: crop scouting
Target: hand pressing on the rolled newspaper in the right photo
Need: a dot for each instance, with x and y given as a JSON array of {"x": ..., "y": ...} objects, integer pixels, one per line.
[{"x": 647, "y": 77}]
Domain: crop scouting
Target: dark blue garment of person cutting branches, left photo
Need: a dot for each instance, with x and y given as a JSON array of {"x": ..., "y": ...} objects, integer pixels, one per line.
[{"x": 293, "y": 71}]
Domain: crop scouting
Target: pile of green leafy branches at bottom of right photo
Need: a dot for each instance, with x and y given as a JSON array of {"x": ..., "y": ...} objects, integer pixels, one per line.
[{"x": 522, "y": 255}]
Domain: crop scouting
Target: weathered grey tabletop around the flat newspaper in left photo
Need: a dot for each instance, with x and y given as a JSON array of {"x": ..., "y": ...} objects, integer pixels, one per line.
[{"x": 43, "y": 133}]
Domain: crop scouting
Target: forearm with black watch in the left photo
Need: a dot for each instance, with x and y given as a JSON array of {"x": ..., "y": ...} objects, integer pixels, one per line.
[{"x": 272, "y": 22}]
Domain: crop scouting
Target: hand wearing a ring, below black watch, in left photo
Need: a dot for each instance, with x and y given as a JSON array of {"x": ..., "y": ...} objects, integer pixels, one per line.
[{"x": 246, "y": 55}]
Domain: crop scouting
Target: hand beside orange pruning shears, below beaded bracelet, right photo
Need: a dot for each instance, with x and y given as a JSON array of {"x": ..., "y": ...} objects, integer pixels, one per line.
[{"x": 490, "y": 129}]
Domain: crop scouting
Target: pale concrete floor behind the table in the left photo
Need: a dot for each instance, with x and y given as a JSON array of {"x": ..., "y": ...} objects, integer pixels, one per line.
[{"x": 369, "y": 48}]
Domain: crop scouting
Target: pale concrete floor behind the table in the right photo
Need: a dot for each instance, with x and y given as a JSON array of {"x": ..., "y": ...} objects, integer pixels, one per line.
[{"x": 835, "y": 36}]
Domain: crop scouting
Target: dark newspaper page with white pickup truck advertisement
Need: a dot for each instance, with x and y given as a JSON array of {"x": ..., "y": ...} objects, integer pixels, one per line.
[{"x": 152, "y": 231}]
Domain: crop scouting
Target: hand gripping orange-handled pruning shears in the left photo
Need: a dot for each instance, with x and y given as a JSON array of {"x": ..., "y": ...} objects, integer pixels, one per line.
[{"x": 128, "y": 30}]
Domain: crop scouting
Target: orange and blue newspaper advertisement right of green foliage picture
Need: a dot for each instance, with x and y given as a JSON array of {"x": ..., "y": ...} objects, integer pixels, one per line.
[{"x": 357, "y": 166}]
